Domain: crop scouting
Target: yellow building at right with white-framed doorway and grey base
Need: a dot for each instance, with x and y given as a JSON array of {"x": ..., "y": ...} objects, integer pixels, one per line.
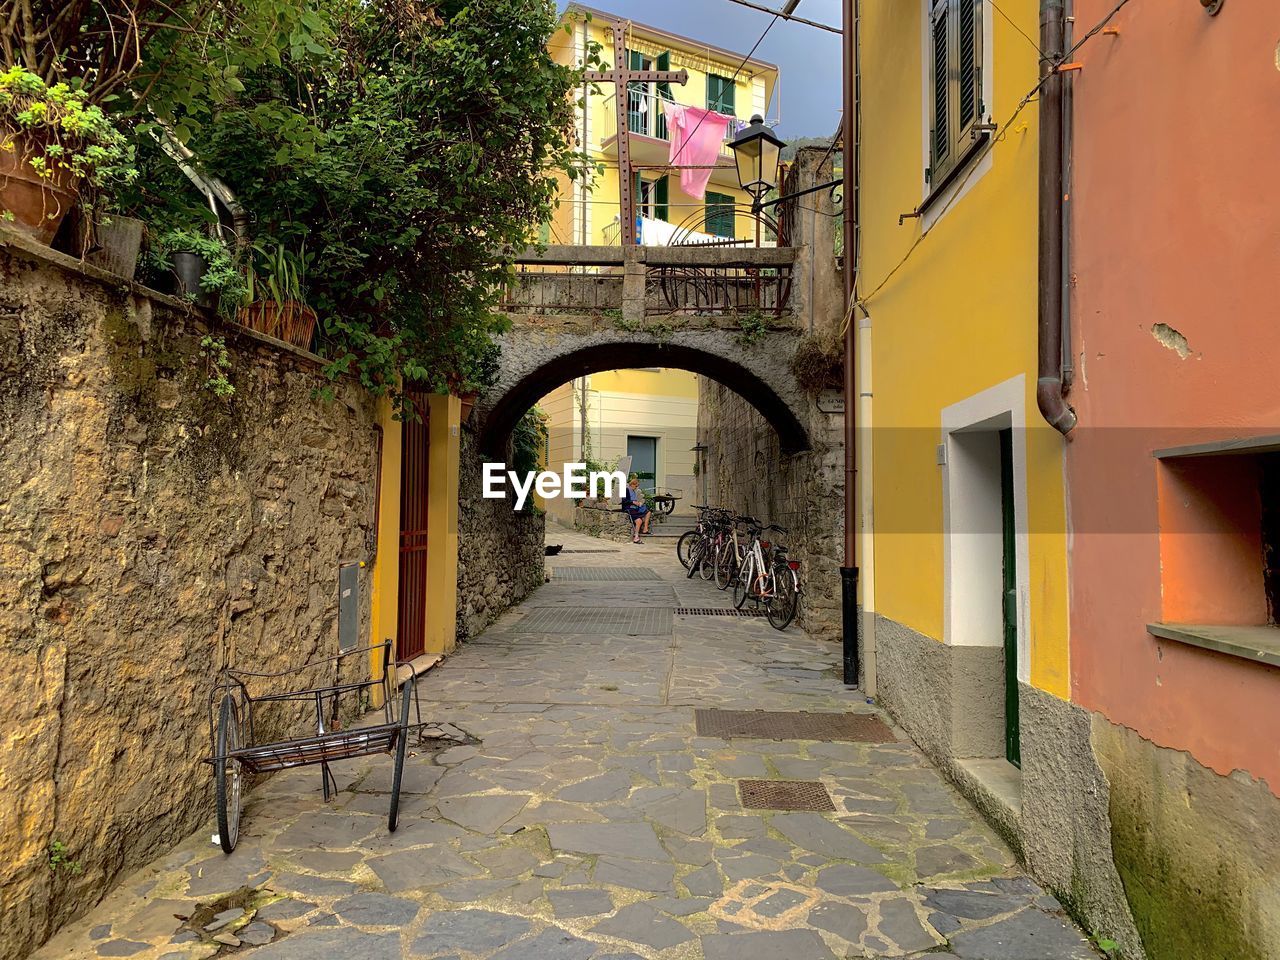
[{"x": 968, "y": 554}]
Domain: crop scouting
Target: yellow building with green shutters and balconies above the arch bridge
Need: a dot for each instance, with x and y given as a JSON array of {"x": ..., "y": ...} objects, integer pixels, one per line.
[{"x": 721, "y": 80}]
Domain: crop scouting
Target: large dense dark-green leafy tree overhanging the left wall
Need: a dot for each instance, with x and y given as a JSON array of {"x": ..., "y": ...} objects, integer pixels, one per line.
[{"x": 413, "y": 149}]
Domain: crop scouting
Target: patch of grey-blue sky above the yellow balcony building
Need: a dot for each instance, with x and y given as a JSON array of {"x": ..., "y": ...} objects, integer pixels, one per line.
[{"x": 808, "y": 60}]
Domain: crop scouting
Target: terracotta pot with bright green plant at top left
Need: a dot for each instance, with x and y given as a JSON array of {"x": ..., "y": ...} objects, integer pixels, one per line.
[{"x": 56, "y": 149}]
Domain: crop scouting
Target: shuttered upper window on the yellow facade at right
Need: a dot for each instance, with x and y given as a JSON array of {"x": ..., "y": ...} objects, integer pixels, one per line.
[{"x": 957, "y": 109}]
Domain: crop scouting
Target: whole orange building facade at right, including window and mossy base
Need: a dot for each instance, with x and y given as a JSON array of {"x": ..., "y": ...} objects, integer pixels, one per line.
[{"x": 1174, "y": 473}]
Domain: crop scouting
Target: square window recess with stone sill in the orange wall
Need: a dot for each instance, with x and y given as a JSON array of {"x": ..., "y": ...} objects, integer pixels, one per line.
[{"x": 1219, "y": 509}]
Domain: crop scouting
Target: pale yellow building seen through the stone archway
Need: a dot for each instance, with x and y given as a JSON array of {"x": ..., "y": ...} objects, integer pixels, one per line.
[{"x": 648, "y": 414}]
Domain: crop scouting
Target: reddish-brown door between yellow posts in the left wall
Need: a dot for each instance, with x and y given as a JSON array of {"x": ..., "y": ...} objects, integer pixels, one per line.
[{"x": 412, "y": 623}]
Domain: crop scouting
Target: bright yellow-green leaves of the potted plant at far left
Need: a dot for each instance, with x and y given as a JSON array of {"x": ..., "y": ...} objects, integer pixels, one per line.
[{"x": 63, "y": 136}]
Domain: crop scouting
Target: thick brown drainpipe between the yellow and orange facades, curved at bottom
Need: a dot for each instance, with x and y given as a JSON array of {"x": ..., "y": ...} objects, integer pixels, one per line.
[{"x": 1050, "y": 387}]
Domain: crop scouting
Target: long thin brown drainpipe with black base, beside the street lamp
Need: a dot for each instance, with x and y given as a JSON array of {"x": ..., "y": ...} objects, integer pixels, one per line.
[{"x": 849, "y": 572}]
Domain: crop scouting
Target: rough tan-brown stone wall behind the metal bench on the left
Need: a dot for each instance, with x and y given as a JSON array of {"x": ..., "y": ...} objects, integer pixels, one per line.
[{"x": 149, "y": 534}]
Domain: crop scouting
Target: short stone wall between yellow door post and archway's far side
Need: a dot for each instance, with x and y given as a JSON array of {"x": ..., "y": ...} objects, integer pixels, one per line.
[{"x": 501, "y": 552}]
